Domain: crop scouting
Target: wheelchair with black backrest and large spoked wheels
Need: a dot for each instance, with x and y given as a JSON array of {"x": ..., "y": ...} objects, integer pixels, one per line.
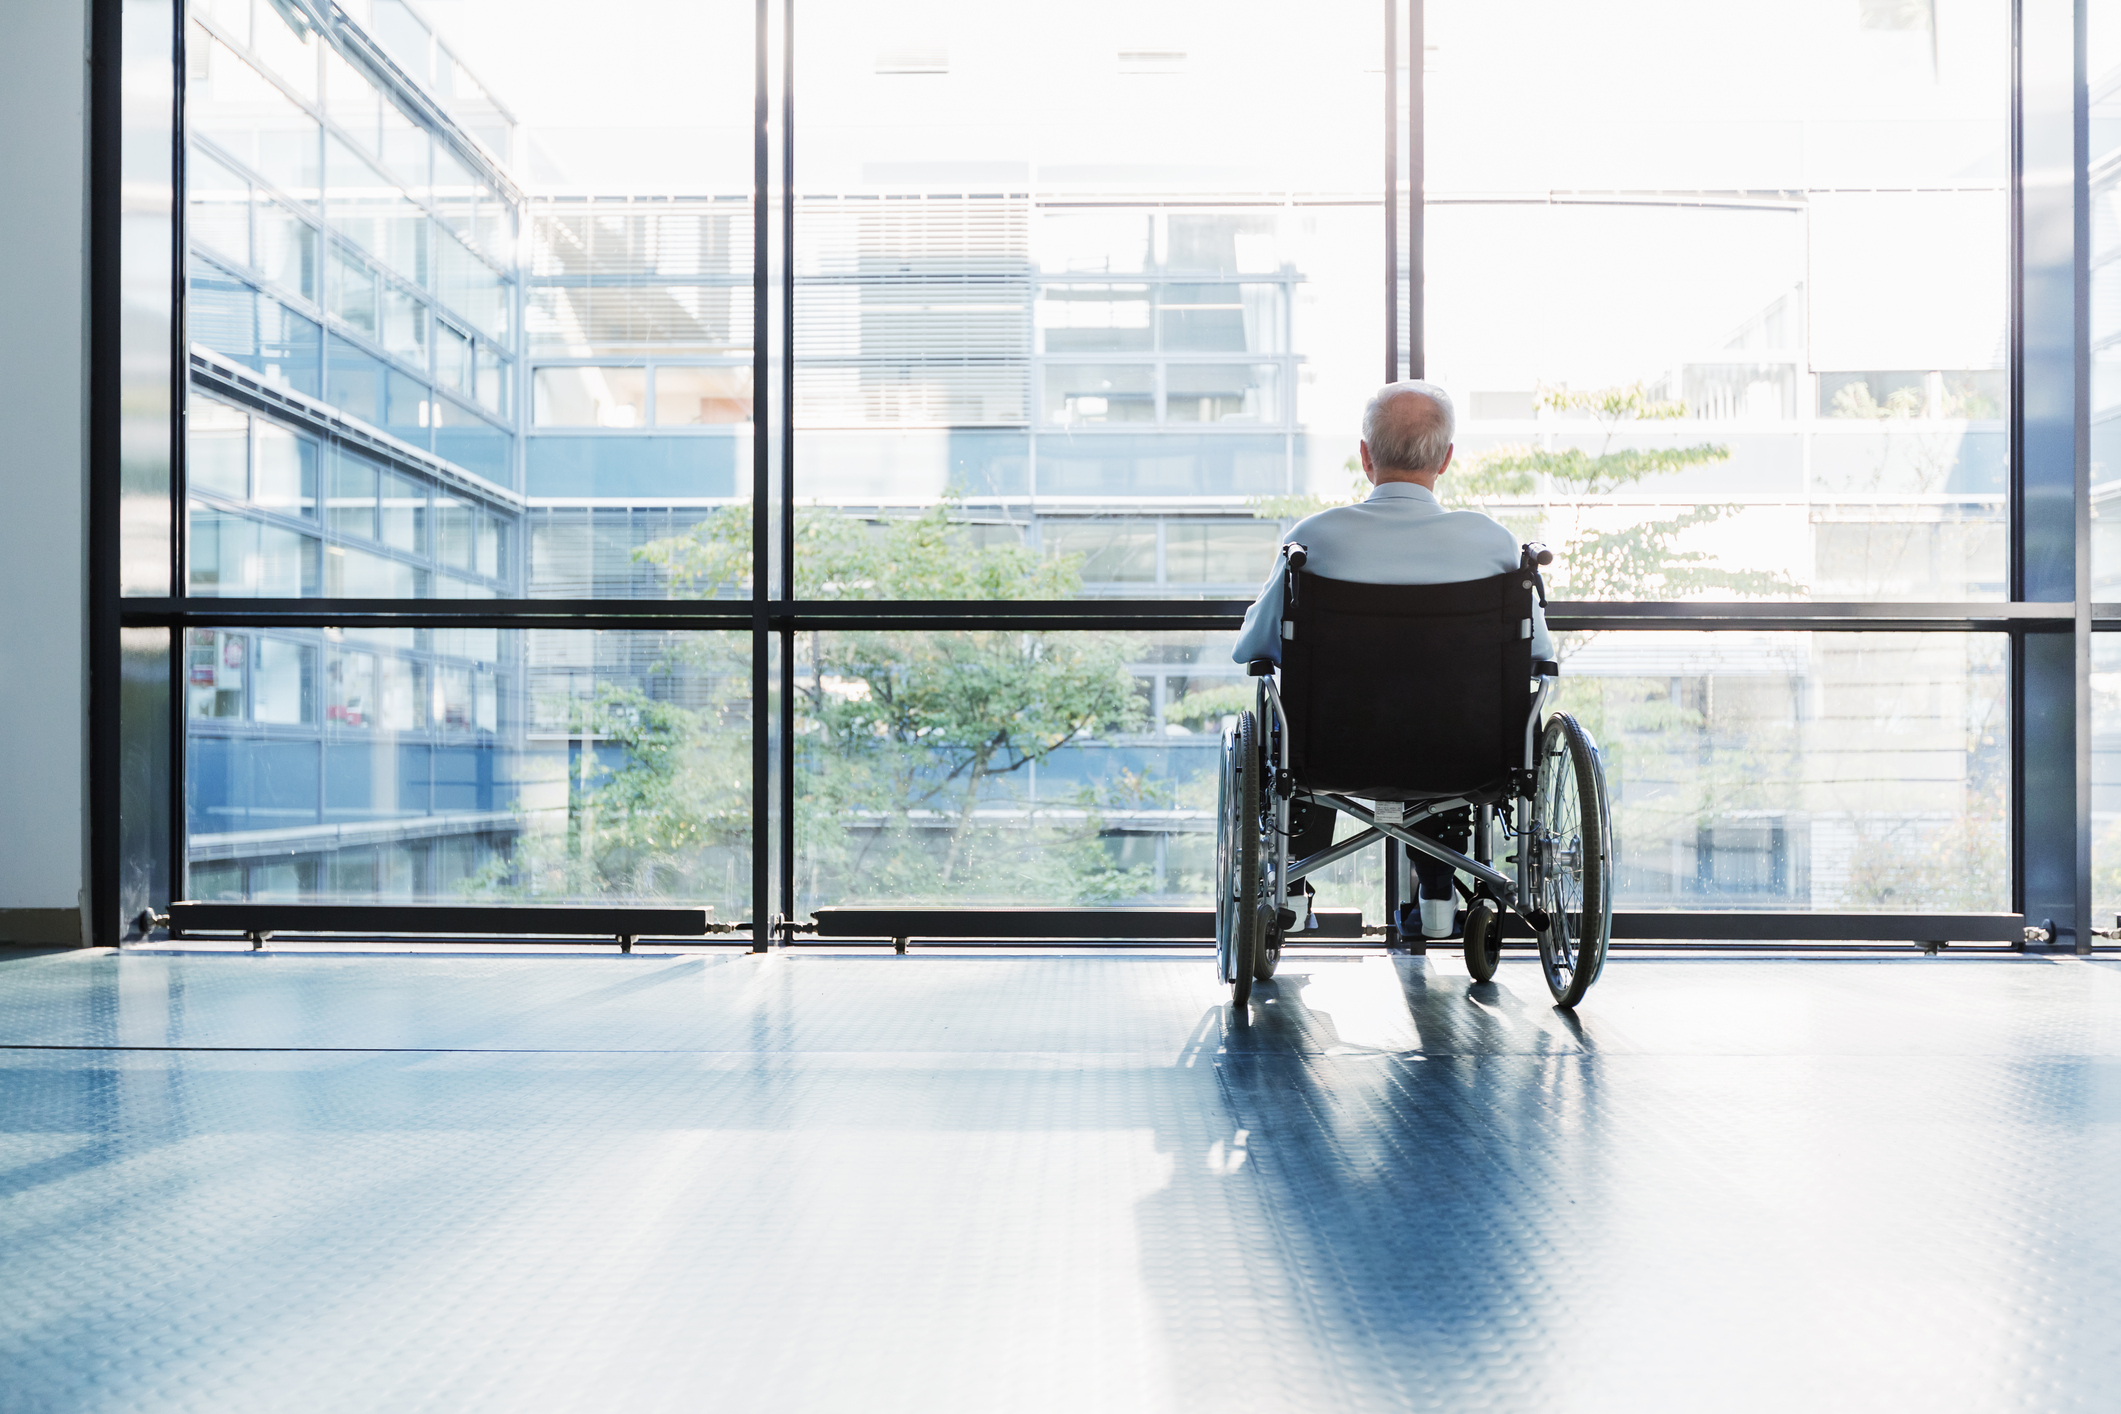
[{"x": 1363, "y": 722}]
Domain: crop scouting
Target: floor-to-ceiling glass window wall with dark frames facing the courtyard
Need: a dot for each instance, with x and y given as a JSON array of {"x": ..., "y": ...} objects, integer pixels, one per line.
[{"x": 1079, "y": 315}]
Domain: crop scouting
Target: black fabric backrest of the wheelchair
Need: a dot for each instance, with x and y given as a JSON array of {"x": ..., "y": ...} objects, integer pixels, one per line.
[{"x": 1405, "y": 692}]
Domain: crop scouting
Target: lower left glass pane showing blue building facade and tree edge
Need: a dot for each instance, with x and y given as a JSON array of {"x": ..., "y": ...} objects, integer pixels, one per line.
[{"x": 461, "y": 766}]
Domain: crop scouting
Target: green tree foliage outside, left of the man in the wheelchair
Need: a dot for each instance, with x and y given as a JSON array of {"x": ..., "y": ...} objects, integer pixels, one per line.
[{"x": 913, "y": 749}]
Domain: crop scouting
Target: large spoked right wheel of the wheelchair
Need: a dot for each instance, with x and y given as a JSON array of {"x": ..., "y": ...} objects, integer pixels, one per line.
[{"x": 1573, "y": 851}]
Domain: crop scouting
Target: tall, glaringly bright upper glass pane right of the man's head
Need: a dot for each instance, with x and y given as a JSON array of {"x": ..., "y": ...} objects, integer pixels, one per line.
[{"x": 1749, "y": 340}]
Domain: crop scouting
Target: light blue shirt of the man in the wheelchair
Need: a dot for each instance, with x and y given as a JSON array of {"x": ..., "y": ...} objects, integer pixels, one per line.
[{"x": 1401, "y": 535}]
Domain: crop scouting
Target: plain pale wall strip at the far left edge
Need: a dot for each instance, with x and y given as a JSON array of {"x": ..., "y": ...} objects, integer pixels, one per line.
[{"x": 43, "y": 470}]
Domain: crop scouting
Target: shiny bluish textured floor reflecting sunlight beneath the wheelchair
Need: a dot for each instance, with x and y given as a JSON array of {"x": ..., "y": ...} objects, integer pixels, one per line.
[{"x": 932, "y": 1184}]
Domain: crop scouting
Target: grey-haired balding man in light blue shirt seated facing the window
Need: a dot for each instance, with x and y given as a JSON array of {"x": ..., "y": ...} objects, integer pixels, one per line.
[{"x": 1399, "y": 535}]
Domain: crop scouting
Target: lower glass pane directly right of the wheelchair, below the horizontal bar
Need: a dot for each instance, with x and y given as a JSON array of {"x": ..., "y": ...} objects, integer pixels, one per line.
[{"x": 1853, "y": 773}]
